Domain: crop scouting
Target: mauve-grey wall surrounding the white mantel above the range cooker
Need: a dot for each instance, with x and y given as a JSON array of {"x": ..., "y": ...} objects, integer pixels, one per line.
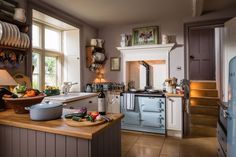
[{"x": 111, "y": 34}]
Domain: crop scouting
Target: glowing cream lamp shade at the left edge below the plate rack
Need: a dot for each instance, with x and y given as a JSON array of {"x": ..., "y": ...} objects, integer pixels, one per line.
[{"x": 6, "y": 79}]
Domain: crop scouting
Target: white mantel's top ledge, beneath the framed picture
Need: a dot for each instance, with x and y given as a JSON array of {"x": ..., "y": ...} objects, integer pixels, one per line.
[{"x": 168, "y": 47}]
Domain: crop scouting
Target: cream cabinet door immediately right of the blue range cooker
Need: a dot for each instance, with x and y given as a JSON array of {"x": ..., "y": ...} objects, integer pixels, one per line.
[{"x": 174, "y": 113}]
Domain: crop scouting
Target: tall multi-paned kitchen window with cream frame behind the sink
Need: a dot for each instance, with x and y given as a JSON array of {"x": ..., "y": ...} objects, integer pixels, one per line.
[{"x": 47, "y": 55}]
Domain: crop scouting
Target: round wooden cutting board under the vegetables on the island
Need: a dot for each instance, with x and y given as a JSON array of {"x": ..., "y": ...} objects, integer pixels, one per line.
[{"x": 83, "y": 123}]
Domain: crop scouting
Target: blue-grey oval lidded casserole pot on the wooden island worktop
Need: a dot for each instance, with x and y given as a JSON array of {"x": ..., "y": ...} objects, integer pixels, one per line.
[{"x": 45, "y": 111}]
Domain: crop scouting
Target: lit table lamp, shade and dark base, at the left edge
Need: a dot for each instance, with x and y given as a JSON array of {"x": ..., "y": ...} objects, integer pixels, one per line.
[{"x": 5, "y": 80}]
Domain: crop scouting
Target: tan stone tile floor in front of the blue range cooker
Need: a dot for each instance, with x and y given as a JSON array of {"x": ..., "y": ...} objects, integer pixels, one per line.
[{"x": 146, "y": 145}]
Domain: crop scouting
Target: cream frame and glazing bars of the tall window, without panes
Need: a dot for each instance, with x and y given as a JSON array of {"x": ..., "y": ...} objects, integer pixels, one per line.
[{"x": 43, "y": 52}]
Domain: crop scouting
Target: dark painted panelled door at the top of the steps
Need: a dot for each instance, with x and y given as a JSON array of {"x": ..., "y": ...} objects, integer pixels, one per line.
[{"x": 201, "y": 54}]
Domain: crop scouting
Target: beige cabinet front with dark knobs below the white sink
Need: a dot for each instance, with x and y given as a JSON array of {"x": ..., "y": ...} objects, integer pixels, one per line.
[{"x": 91, "y": 103}]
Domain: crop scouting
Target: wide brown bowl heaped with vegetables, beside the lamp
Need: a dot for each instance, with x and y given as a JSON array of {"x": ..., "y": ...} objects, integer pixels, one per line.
[{"x": 19, "y": 104}]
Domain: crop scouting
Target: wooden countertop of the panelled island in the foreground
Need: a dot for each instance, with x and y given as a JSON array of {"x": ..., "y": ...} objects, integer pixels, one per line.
[{"x": 58, "y": 126}]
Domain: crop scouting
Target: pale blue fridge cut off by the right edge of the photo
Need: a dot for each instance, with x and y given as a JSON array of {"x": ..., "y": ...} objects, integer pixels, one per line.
[{"x": 231, "y": 122}]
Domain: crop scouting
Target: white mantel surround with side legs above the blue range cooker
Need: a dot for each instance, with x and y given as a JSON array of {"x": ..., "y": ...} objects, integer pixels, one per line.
[{"x": 146, "y": 52}]
